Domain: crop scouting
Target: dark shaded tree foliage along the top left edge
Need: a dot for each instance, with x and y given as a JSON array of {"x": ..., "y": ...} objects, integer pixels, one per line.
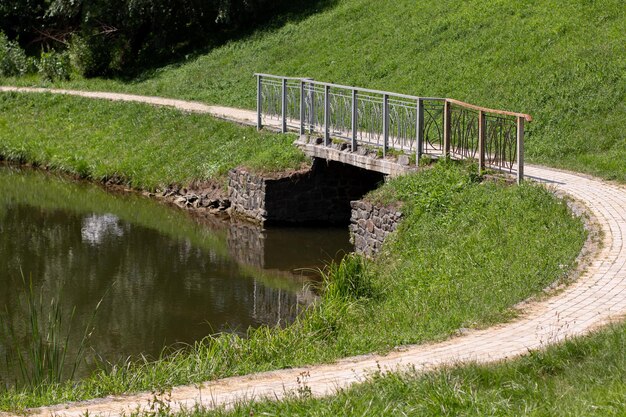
[{"x": 117, "y": 36}]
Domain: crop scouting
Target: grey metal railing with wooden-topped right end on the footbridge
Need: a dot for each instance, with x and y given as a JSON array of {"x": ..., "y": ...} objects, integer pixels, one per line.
[{"x": 389, "y": 121}]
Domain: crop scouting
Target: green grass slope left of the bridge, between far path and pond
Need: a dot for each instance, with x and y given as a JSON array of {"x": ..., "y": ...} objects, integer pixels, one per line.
[{"x": 143, "y": 146}]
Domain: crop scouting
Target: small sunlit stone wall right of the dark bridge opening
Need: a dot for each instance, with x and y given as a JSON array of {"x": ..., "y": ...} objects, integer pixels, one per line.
[{"x": 370, "y": 225}]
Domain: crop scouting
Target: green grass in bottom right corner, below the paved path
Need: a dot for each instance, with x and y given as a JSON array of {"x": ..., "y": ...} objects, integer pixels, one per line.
[{"x": 585, "y": 376}]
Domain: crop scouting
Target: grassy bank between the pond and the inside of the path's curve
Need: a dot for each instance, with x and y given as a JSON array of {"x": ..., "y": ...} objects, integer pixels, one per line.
[{"x": 421, "y": 289}]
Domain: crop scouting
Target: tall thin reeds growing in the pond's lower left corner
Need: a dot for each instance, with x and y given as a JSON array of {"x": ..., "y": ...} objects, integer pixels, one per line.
[{"x": 41, "y": 354}]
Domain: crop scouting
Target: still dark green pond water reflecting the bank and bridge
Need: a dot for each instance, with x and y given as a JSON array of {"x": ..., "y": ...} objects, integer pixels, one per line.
[{"x": 163, "y": 277}]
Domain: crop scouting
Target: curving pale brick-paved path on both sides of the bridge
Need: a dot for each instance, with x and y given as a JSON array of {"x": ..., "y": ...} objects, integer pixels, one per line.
[{"x": 597, "y": 297}]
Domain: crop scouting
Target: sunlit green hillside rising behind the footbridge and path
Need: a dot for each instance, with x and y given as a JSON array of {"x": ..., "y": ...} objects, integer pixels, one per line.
[{"x": 562, "y": 62}]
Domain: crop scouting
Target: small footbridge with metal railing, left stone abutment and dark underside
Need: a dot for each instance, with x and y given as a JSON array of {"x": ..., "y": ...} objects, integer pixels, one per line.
[{"x": 356, "y": 138}]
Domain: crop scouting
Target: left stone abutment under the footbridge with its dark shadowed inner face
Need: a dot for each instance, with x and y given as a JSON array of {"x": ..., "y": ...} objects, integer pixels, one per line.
[{"x": 319, "y": 195}]
